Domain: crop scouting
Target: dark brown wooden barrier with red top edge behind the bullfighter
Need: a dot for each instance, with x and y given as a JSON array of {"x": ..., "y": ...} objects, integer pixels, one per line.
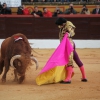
[{"x": 87, "y": 26}]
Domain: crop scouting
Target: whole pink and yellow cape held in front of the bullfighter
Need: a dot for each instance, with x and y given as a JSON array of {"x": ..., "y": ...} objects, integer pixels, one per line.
[{"x": 54, "y": 71}]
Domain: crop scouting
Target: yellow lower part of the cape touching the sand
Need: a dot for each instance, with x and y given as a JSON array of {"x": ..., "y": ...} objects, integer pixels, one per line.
[{"x": 54, "y": 75}]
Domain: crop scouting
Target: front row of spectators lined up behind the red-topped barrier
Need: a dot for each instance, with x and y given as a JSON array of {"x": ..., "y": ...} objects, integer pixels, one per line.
[{"x": 23, "y": 10}]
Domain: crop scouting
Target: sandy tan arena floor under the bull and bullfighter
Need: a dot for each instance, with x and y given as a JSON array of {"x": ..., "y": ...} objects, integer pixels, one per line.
[{"x": 77, "y": 90}]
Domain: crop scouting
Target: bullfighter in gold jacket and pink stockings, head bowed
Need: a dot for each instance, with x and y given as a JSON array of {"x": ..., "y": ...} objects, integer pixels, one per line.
[{"x": 67, "y": 26}]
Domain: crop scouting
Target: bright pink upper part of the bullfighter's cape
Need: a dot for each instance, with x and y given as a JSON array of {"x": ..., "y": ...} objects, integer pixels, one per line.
[{"x": 60, "y": 56}]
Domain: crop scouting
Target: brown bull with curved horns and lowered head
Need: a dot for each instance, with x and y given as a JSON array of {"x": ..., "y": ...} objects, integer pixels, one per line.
[{"x": 16, "y": 52}]
